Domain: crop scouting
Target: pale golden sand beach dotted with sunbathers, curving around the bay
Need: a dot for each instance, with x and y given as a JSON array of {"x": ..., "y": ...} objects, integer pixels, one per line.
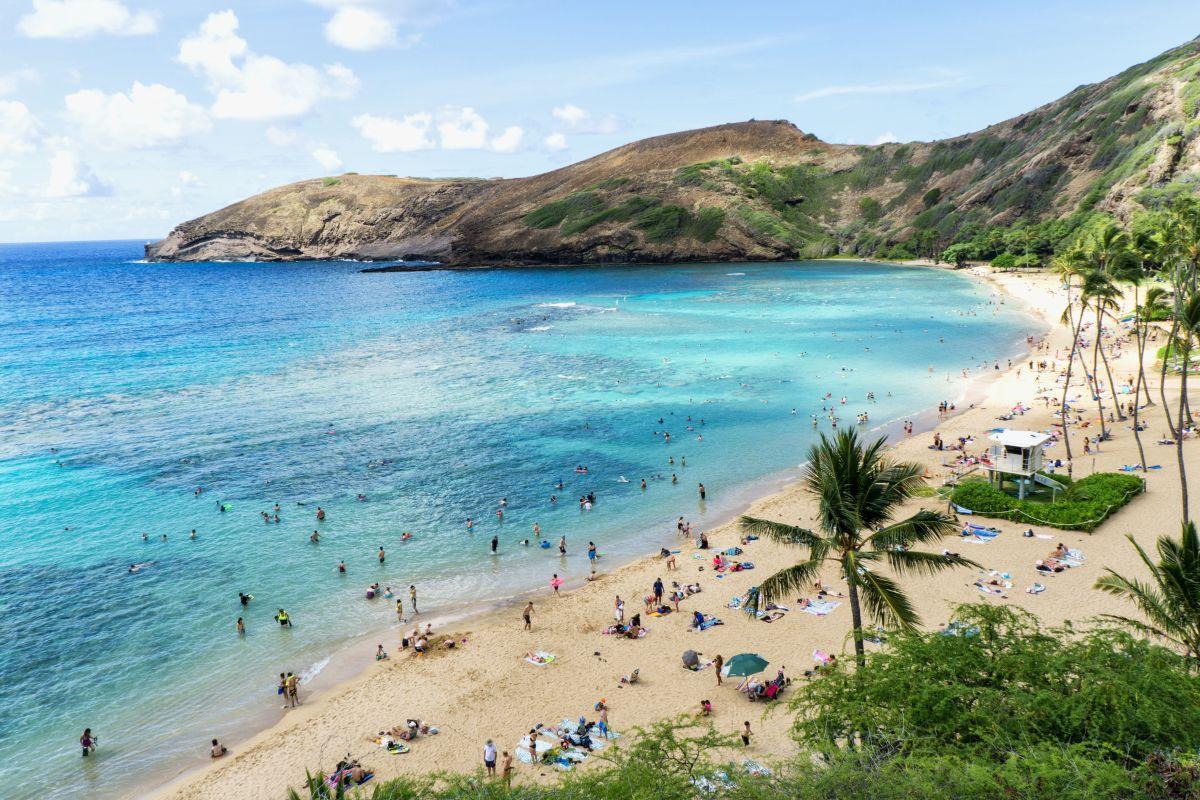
[{"x": 485, "y": 690}]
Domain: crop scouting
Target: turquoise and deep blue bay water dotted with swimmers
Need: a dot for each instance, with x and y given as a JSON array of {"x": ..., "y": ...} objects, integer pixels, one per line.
[{"x": 129, "y": 386}]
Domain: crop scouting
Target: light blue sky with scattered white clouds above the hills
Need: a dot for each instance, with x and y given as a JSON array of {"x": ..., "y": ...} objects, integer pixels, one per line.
[{"x": 119, "y": 119}]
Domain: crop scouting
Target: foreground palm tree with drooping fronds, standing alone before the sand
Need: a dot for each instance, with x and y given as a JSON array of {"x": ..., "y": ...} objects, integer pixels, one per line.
[{"x": 859, "y": 491}]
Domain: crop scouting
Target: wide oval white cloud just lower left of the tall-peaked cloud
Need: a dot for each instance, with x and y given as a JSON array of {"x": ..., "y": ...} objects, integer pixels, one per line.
[{"x": 148, "y": 117}]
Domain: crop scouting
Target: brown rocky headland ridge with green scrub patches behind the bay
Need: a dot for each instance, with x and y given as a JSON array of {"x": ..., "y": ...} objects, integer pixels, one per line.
[{"x": 746, "y": 191}]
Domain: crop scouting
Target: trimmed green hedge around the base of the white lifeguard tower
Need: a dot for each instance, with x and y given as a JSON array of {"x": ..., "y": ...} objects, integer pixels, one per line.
[{"x": 1084, "y": 506}]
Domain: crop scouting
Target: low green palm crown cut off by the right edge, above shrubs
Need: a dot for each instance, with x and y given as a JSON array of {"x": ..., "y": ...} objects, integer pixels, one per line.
[{"x": 1171, "y": 601}]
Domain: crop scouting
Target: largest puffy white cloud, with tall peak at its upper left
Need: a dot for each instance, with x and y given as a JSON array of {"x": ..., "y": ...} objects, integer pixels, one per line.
[{"x": 251, "y": 87}]
